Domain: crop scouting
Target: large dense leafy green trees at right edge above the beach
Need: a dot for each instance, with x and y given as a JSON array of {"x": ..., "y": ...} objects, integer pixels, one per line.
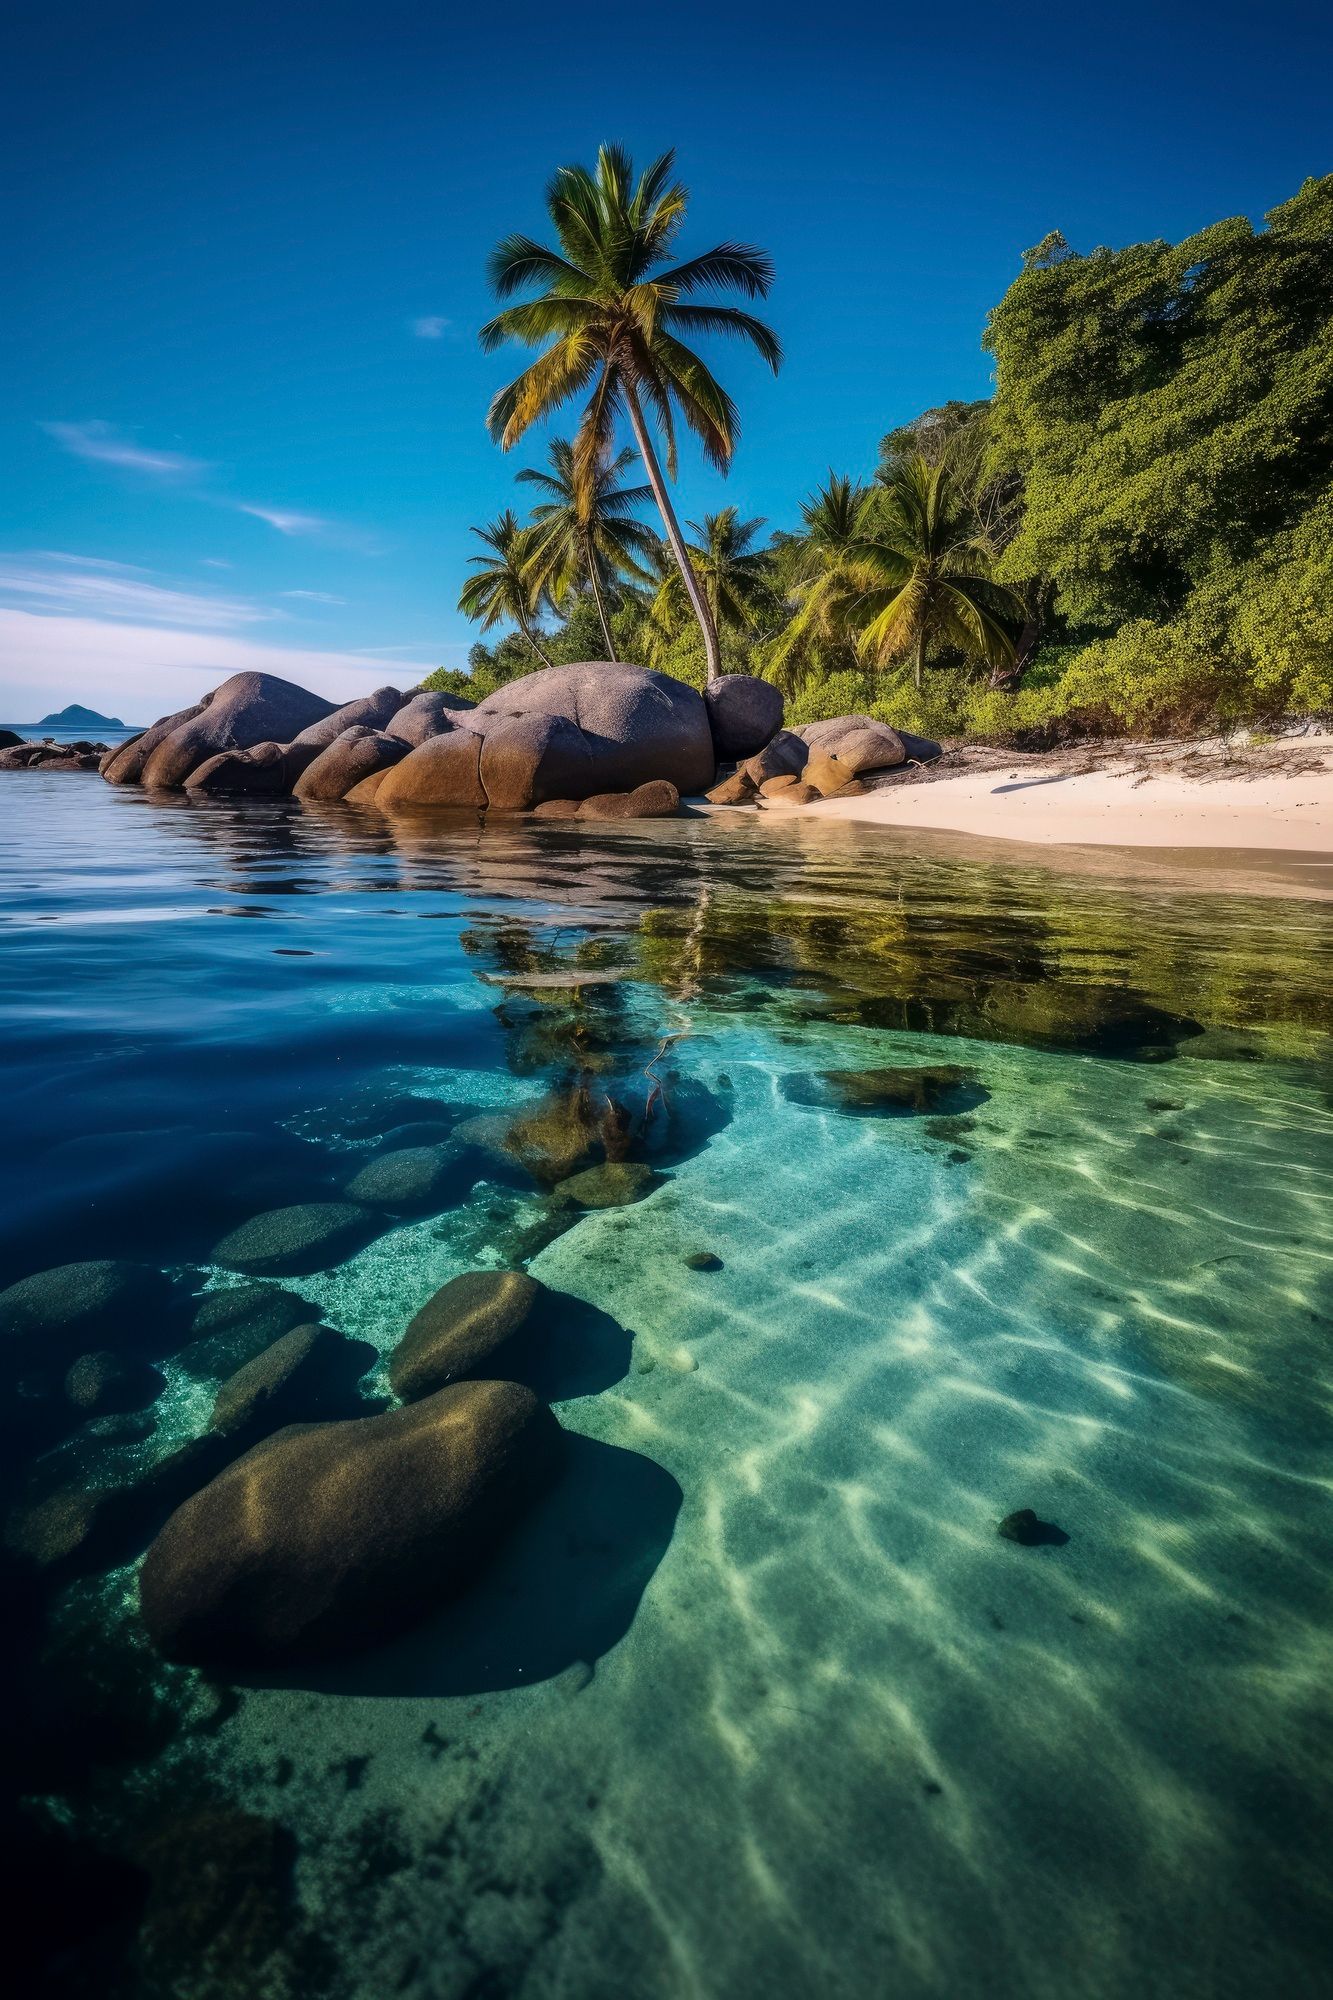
[{"x": 1170, "y": 411}]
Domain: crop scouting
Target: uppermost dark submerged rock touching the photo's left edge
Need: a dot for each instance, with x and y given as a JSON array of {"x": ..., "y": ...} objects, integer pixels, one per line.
[{"x": 55, "y": 1315}]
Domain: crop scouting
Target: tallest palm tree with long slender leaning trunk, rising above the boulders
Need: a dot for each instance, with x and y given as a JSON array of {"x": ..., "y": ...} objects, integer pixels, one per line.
[{"x": 611, "y": 323}]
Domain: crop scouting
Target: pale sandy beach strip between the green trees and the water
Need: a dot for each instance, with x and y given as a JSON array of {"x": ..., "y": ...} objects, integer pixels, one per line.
[{"x": 1156, "y": 797}]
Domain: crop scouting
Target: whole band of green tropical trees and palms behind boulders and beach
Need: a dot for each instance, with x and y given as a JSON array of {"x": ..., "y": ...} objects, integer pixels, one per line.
[{"x": 1136, "y": 533}]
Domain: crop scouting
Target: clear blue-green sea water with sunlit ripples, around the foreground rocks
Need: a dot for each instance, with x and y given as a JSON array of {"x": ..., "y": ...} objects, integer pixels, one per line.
[{"x": 758, "y": 1701}]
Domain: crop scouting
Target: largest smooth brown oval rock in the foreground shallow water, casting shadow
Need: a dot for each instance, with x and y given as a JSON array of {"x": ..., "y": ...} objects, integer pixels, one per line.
[{"x": 331, "y": 1537}]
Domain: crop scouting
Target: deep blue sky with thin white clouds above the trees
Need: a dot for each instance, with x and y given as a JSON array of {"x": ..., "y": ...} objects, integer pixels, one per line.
[{"x": 241, "y": 395}]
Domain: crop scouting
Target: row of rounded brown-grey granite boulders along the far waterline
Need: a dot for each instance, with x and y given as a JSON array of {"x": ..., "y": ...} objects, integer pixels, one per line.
[{"x": 595, "y": 741}]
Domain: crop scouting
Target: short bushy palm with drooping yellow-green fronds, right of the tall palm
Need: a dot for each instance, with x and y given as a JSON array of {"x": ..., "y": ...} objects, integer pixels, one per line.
[{"x": 928, "y": 575}]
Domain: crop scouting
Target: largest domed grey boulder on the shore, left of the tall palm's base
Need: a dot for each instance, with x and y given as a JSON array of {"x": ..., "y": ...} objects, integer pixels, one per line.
[{"x": 639, "y": 725}]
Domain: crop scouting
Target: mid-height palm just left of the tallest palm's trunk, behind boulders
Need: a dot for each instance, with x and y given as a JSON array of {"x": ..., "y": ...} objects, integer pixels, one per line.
[{"x": 585, "y": 529}]
